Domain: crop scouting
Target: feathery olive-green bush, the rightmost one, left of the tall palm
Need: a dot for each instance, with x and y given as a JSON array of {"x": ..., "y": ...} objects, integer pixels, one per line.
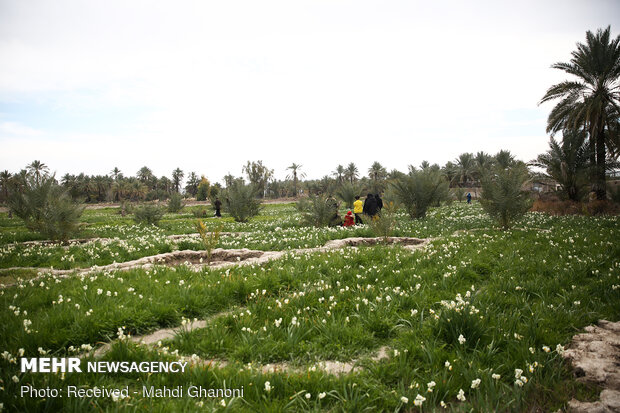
[{"x": 503, "y": 197}]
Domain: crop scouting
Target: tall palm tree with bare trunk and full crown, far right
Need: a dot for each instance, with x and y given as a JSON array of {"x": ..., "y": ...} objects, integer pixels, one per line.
[{"x": 591, "y": 101}]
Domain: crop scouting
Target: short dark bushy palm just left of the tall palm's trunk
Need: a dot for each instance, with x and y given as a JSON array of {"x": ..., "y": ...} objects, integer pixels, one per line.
[{"x": 567, "y": 162}]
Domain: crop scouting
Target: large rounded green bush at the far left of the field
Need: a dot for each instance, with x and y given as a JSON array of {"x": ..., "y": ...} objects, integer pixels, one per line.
[{"x": 46, "y": 208}]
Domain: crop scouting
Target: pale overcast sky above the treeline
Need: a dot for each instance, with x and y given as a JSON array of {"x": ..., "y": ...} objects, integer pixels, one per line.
[{"x": 206, "y": 86}]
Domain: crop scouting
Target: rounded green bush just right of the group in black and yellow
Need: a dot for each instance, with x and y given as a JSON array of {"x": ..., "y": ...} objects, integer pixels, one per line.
[{"x": 420, "y": 190}]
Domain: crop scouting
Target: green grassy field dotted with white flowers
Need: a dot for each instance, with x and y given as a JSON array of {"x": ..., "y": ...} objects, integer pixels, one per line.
[{"x": 476, "y": 321}]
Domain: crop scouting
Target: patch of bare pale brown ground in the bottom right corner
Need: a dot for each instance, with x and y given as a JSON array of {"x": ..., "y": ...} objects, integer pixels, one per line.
[{"x": 595, "y": 356}]
